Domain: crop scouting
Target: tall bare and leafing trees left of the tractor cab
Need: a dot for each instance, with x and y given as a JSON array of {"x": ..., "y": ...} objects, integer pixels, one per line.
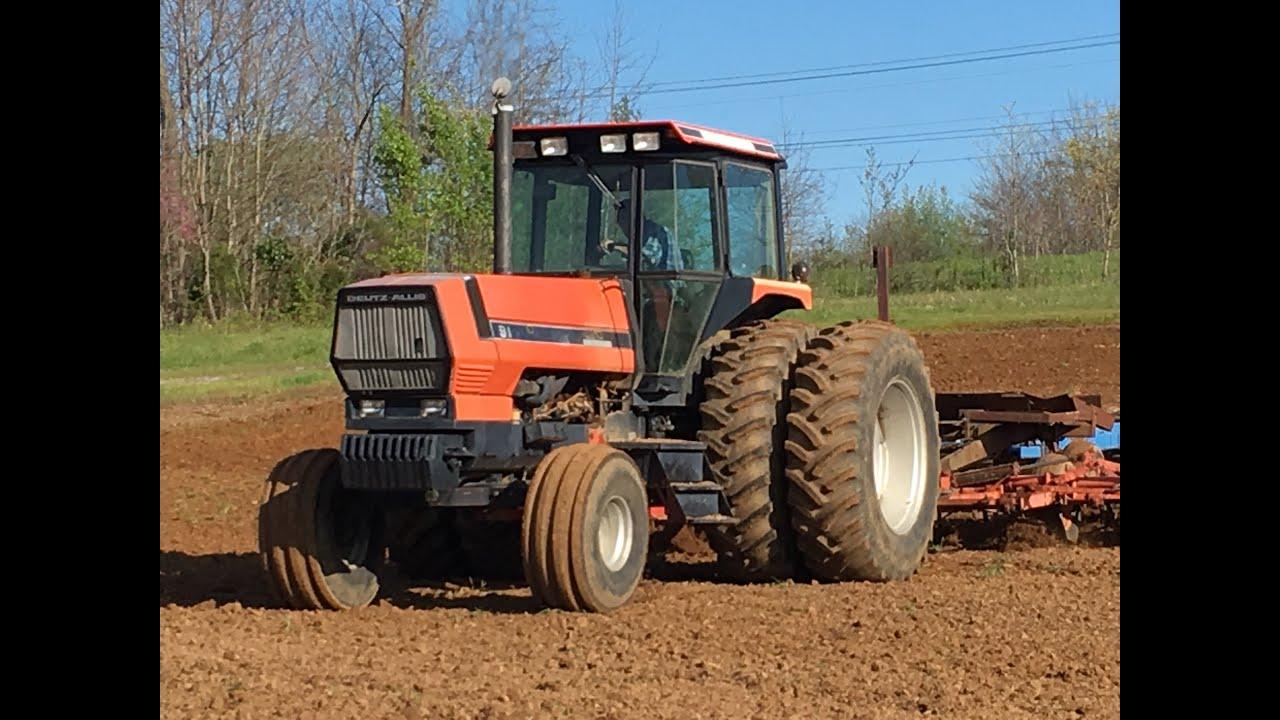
[{"x": 305, "y": 143}]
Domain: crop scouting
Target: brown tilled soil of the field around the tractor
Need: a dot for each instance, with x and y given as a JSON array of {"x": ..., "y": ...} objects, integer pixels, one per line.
[{"x": 975, "y": 635}]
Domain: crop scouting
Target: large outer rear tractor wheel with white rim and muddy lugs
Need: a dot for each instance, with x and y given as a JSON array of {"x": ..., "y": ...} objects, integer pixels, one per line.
[{"x": 863, "y": 454}]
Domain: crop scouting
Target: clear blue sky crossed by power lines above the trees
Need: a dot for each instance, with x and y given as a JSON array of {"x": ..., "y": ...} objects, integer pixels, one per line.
[{"x": 697, "y": 40}]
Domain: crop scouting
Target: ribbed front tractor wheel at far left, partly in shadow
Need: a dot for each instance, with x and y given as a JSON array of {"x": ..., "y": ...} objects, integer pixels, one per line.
[{"x": 321, "y": 544}]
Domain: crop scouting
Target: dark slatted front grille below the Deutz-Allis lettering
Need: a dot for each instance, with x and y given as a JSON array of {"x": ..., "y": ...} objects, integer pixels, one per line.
[{"x": 394, "y": 345}]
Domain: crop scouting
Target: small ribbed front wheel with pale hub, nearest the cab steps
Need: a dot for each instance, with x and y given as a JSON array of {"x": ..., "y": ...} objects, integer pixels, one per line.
[{"x": 586, "y": 531}]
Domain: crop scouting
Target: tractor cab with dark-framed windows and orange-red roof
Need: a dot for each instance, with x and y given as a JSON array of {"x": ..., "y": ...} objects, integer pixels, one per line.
[{"x": 685, "y": 217}]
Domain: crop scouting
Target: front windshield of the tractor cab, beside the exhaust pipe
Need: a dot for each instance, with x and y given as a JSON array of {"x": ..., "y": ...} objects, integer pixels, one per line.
[{"x": 563, "y": 222}]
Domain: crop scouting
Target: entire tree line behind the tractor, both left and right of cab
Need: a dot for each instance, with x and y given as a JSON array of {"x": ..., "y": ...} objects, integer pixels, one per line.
[{"x": 309, "y": 143}]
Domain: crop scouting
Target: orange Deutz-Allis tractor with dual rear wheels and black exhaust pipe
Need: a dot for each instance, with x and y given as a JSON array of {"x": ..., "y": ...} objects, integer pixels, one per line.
[{"x": 623, "y": 367}]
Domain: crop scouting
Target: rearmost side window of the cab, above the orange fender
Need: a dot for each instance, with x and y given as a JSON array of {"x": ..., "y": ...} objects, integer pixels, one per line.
[{"x": 753, "y": 229}]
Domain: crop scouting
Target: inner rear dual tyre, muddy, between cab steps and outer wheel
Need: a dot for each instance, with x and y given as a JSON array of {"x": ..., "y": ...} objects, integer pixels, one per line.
[{"x": 744, "y": 427}]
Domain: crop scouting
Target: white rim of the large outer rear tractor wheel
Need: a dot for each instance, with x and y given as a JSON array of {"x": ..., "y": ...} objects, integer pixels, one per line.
[{"x": 898, "y": 457}]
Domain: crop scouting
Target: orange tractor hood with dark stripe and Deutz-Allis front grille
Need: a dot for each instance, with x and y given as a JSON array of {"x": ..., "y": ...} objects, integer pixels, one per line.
[{"x": 476, "y": 336}]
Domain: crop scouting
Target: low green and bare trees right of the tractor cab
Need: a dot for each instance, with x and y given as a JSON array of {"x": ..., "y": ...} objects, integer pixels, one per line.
[{"x": 1041, "y": 189}]
